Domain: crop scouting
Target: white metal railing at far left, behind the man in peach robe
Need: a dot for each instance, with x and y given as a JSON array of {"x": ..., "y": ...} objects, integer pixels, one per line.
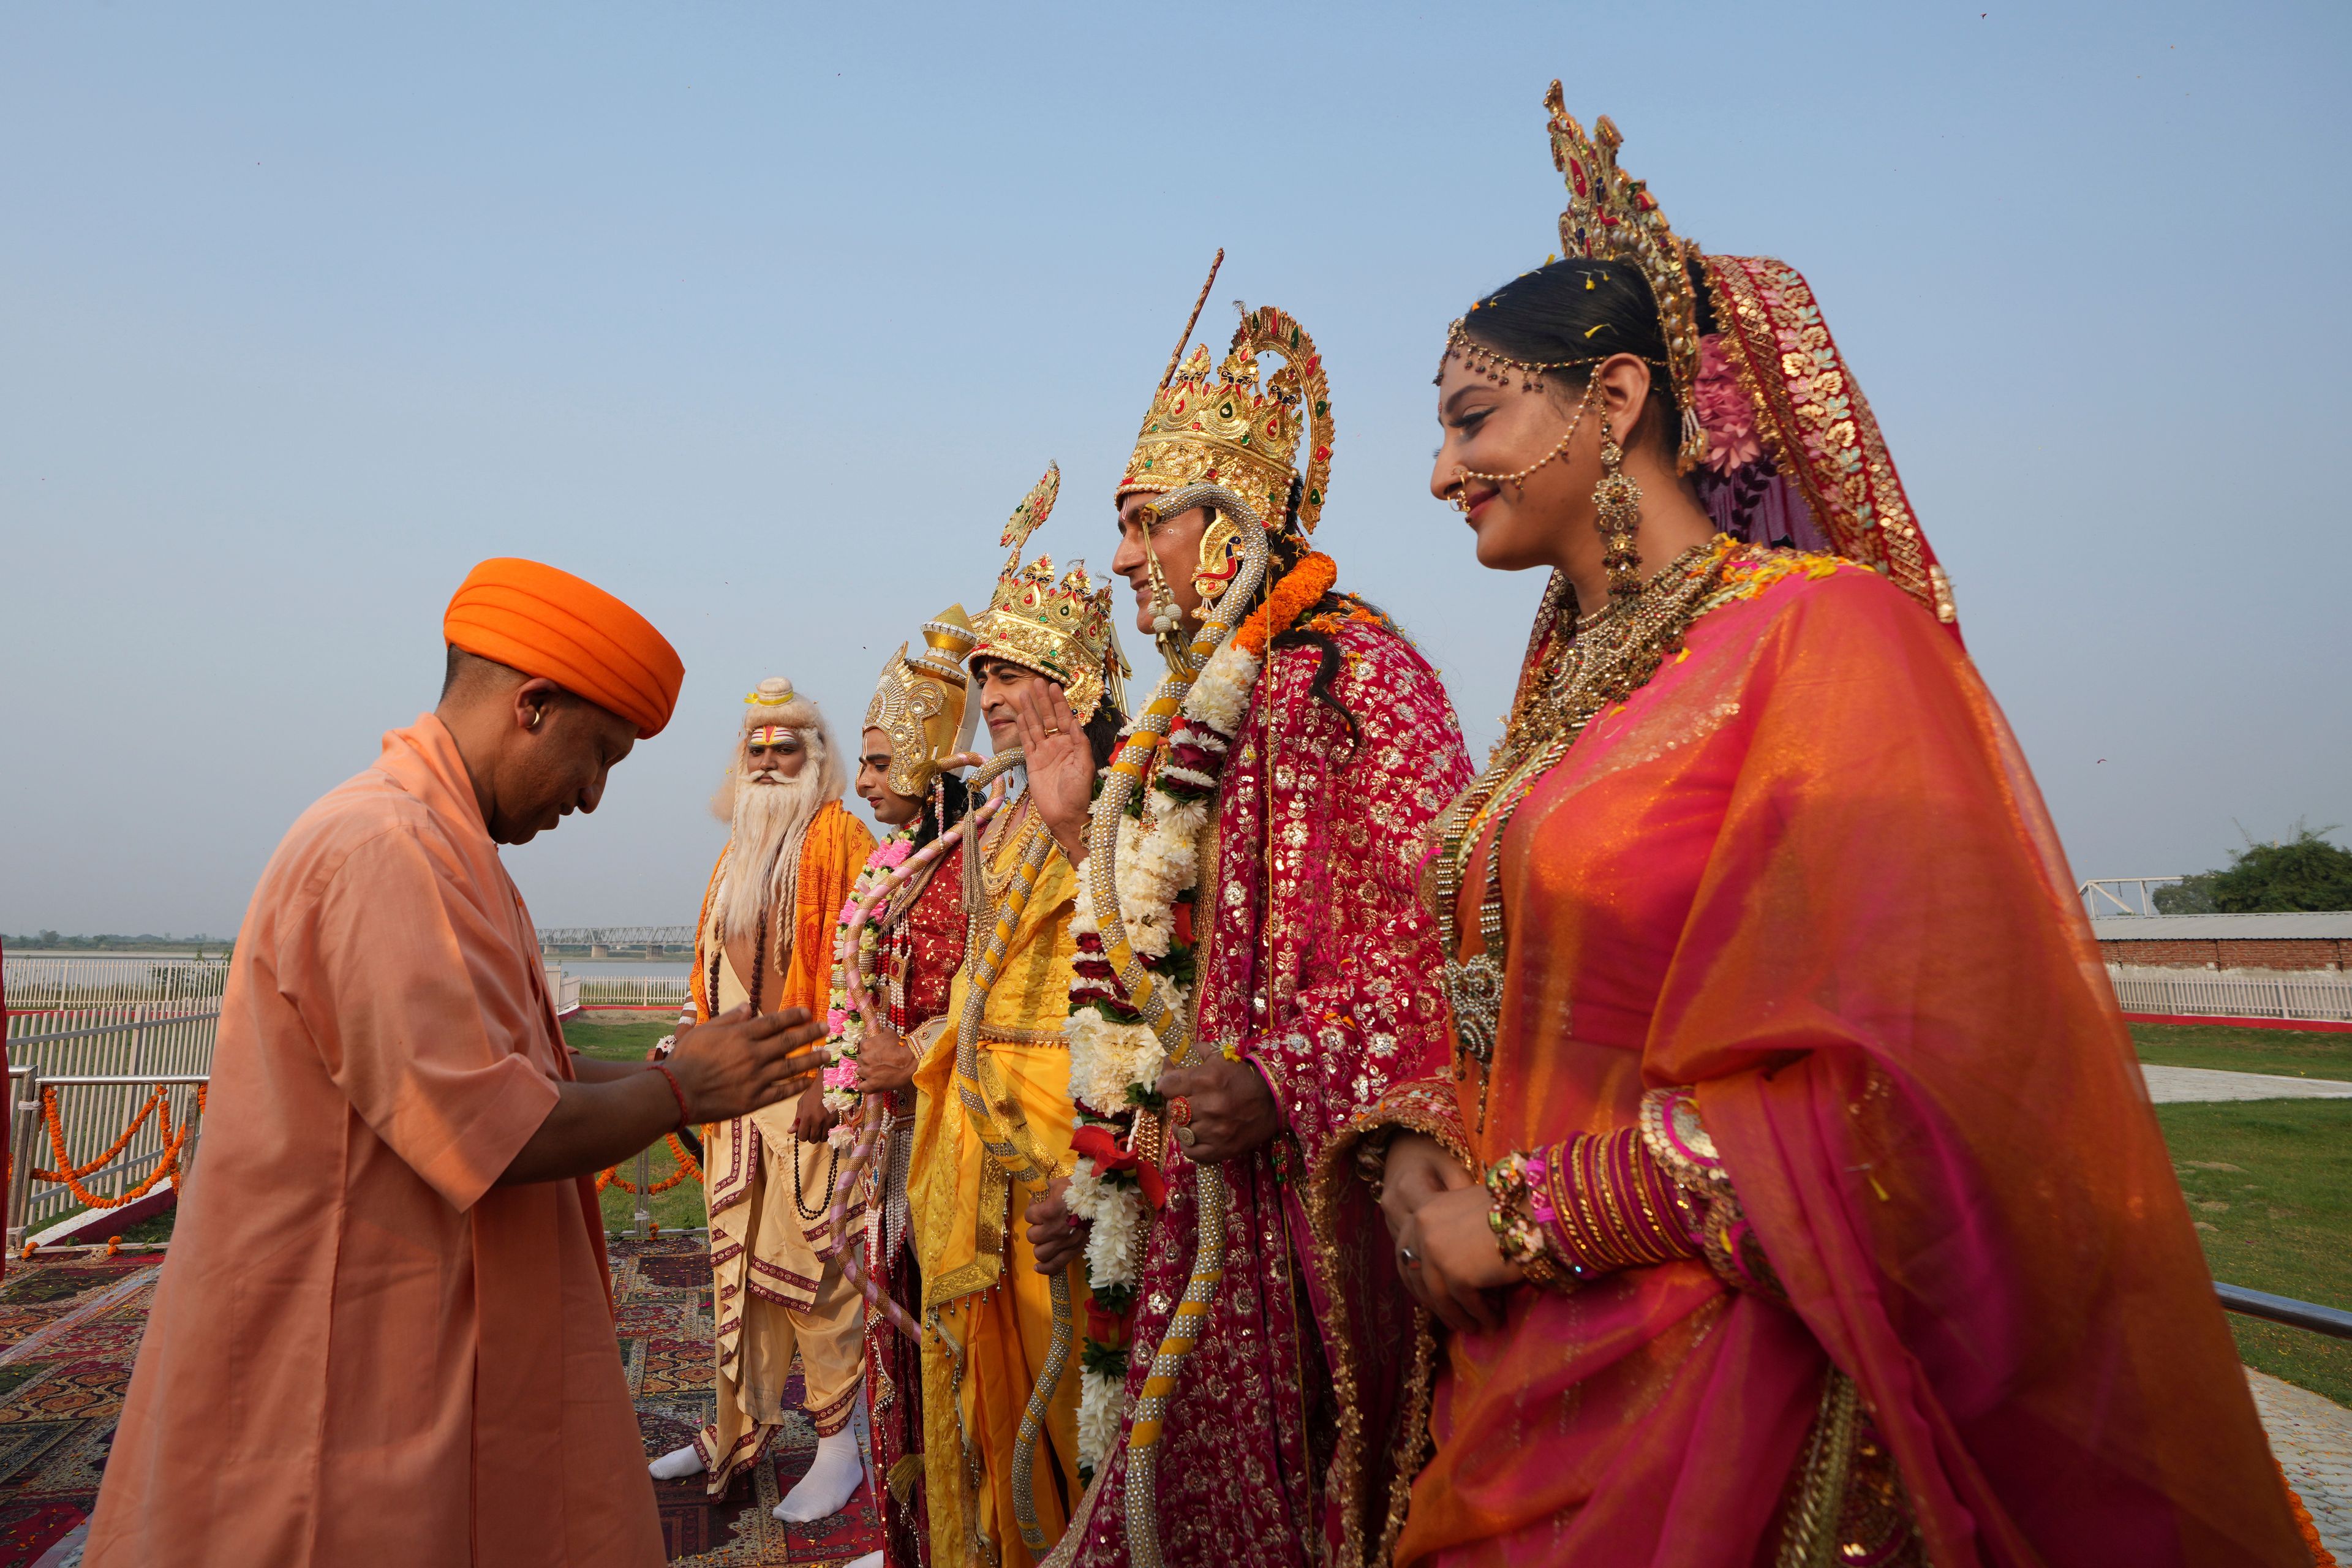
[{"x": 105, "y": 1061}]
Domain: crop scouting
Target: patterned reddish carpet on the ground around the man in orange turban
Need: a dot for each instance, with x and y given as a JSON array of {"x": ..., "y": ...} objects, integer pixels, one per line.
[{"x": 69, "y": 1334}]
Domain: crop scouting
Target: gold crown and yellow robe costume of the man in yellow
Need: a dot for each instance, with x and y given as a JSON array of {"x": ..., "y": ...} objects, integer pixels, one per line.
[{"x": 994, "y": 1115}]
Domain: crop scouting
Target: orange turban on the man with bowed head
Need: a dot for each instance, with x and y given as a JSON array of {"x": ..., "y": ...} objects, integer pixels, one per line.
[{"x": 573, "y": 634}]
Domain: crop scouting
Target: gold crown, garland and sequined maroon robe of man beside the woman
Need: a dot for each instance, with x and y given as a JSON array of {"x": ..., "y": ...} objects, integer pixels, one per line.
[{"x": 1307, "y": 956}]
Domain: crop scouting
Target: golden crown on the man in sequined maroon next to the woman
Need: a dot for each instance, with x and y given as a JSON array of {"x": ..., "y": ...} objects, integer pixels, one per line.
[{"x": 1234, "y": 434}]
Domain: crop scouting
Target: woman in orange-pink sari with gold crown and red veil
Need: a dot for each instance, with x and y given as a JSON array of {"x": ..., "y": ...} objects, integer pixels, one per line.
[{"x": 1793, "y": 1195}]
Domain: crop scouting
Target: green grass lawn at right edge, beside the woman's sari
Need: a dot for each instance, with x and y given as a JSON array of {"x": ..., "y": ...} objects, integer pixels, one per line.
[{"x": 2271, "y": 1186}]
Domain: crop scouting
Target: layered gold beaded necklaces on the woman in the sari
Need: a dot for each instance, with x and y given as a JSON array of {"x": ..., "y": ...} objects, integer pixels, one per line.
[{"x": 1603, "y": 662}]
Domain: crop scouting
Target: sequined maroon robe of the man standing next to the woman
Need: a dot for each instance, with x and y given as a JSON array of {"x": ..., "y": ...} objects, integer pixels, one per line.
[{"x": 1321, "y": 963}]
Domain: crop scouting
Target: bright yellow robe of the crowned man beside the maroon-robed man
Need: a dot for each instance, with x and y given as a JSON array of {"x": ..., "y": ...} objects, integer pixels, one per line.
[{"x": 965, "y": 1214}]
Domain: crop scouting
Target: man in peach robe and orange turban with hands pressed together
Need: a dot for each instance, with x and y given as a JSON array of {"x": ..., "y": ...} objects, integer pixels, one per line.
[{"x": 385, "y": 1334}]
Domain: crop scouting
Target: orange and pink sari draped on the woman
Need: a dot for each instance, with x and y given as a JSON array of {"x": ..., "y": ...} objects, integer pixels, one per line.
[{"x": 1808, "y": 873}]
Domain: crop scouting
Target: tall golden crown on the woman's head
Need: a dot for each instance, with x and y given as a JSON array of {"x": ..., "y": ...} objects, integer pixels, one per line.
[{"x": 1615, "y": 217}]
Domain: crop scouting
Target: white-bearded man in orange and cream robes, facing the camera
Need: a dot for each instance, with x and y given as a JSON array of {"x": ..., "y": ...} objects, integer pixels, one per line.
[{"x": 768, "y": 934}]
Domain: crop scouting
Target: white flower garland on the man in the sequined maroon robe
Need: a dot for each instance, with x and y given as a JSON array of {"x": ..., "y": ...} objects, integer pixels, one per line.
[{"x": 1116, "y": 1064}]
